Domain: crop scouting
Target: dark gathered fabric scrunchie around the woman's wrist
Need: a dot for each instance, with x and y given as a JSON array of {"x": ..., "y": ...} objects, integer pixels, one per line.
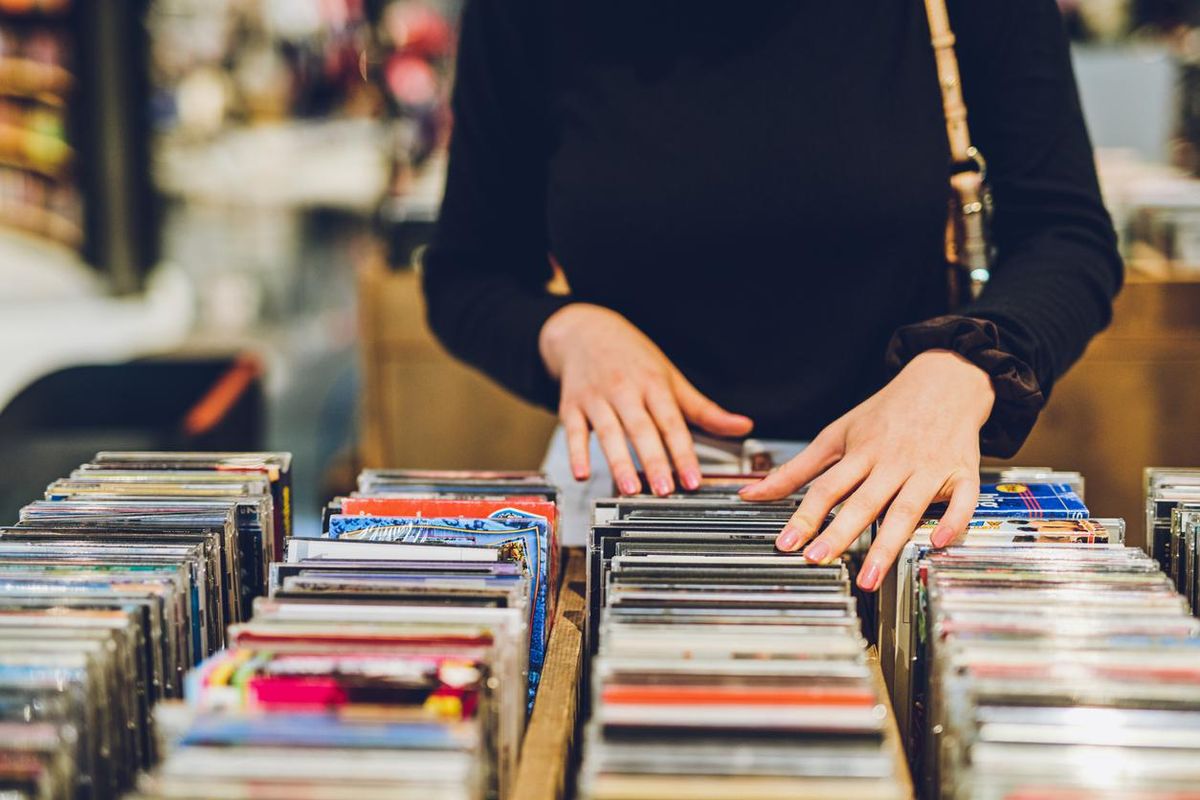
[{"x": 1019, "y": 399}]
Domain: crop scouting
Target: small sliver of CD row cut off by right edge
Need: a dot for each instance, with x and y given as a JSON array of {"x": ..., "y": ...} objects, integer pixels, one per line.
[{"x": 1173, "y": 520}]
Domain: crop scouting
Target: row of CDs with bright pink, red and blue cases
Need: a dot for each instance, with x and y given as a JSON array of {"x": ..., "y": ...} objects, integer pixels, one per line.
[{"x": 395, "y": 658}]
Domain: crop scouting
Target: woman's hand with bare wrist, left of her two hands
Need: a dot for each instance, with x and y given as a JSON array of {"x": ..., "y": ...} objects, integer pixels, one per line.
[{"x": 616, "y": 382}]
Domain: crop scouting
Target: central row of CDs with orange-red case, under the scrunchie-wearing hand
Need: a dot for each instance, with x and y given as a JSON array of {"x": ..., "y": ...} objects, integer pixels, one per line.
[{"x": 724, "y": 669}]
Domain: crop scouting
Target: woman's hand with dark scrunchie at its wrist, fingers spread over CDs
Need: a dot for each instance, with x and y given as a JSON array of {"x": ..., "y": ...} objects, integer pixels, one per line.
[{"x": 914, "y": 443}]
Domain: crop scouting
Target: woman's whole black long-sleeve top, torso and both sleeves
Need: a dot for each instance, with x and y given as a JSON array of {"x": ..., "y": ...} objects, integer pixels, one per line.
[{"x": 763, "y": 190}]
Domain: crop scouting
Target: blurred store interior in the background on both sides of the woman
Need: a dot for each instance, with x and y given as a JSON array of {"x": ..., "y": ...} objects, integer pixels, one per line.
[{"x": 209, "y": 213}]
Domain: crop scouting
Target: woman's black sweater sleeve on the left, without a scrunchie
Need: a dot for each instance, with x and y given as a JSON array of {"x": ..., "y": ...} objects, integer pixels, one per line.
[{"x": 487, "y": 269}]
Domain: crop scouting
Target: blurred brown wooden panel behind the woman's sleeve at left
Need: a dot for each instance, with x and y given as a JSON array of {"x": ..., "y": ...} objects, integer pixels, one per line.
[{"x": 421, "y": 407}]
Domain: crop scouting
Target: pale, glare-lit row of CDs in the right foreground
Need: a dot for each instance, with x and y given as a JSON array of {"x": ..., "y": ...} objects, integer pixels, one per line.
[{"x": 1066, "y": 671}]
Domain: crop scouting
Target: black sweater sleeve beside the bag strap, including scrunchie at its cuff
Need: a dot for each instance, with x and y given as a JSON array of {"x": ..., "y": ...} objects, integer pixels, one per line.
[{"x": 1058, "y": 266}]
